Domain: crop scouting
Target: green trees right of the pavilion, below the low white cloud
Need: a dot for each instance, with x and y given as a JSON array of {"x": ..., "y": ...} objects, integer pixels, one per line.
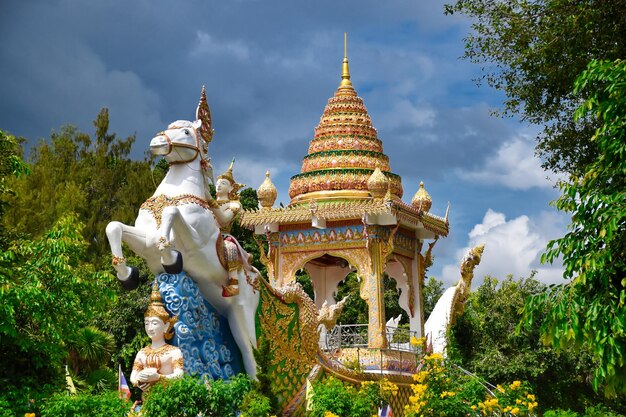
[{"x": 485, "y": 341}]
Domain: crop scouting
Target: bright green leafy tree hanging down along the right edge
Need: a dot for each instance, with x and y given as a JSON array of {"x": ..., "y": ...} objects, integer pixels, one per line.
[{"x": 589, "y": 311}]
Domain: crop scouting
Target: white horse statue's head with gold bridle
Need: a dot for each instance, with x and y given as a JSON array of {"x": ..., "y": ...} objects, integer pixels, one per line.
[{"x": 179, "y": 143}]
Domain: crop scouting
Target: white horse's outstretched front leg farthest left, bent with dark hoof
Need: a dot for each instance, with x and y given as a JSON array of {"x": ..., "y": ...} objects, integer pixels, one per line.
[{"x": 136, "y": 239}]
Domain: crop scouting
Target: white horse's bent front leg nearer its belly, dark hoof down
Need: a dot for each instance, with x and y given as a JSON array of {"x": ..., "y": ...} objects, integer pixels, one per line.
[{"x": 186, "y": 239}]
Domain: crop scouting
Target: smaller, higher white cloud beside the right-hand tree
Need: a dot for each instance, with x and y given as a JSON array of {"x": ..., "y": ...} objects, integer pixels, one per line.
[{"x": 514, "y": 166}]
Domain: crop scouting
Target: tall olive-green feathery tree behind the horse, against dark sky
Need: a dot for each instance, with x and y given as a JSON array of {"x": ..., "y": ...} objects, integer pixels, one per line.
[{"x": 91, "y": 177}]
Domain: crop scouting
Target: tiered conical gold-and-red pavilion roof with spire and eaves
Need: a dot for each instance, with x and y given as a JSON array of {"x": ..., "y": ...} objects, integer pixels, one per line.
[{"x": 345, "y": 174}]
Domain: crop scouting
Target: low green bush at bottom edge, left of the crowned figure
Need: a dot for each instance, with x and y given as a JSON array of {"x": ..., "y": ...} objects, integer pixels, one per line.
[{"x": 101, "y": 405}]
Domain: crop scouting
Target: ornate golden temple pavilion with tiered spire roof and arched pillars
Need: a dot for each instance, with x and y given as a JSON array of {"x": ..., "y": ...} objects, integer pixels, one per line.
[{"x": 347, "y": 214}]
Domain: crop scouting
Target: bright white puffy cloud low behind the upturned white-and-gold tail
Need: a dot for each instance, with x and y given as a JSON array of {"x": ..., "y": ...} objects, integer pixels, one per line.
[{"x": 511, "y": 247}]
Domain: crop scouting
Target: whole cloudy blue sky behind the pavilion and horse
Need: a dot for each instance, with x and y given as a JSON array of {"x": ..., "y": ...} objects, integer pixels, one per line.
[{"x": 269, "y": 68}]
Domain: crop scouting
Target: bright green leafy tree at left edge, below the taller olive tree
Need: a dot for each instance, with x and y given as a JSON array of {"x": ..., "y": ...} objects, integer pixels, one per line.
[{"x": 48, "y": 293}]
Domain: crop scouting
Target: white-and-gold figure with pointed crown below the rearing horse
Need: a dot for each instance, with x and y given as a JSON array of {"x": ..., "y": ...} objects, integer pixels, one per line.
[{"x": 160, "y": 360}]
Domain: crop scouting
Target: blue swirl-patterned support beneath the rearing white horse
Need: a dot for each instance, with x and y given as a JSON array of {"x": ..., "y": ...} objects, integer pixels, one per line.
[{"x": 202, "y": 334}]
